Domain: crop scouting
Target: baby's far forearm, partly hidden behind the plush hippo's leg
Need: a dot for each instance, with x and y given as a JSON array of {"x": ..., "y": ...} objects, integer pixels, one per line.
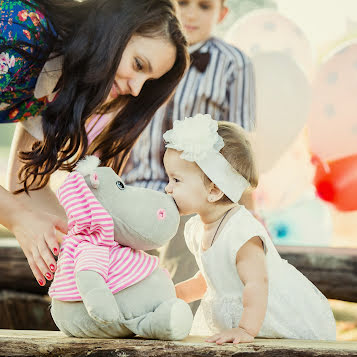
[{"x": 192, "y": 289}]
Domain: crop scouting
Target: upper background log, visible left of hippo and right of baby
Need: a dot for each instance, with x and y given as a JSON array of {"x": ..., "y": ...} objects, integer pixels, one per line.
[{"x": 332, "y": 270}]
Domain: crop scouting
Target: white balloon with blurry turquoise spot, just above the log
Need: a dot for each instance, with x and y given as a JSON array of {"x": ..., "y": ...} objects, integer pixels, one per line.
[{"x": 307, "y": 222}]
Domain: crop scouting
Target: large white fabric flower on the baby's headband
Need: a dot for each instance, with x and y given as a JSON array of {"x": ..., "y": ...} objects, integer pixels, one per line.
[{"x": 195, "y": 136}]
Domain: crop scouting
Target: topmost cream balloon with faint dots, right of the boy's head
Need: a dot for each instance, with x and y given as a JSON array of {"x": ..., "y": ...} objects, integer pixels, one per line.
[{"x": 266, "y": 30}]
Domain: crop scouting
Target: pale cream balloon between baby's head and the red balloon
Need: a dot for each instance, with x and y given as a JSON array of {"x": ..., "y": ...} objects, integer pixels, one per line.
[{"x": 288, "y": 180}]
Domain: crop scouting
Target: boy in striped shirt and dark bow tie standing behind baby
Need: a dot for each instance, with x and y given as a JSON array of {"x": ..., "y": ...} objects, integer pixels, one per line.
[{"x": 219, "y": 82}]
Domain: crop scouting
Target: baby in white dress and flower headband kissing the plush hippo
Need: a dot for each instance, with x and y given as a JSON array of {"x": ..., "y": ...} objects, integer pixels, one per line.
[{"x": 247, "y": 290}]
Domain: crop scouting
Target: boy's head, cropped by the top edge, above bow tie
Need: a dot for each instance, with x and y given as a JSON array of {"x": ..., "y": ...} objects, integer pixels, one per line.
[{"x": 199, "y": 18}]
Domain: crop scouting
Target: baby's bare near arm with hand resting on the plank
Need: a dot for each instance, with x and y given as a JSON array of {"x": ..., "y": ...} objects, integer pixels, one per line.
[{"x": 251, "y": 268}]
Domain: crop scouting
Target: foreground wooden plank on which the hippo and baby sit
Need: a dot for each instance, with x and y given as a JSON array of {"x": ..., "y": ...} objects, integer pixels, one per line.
[{"x": 51, "y": 343}]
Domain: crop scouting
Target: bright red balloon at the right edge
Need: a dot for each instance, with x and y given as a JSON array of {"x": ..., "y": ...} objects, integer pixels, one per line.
[{"x": 336, "y": 182}]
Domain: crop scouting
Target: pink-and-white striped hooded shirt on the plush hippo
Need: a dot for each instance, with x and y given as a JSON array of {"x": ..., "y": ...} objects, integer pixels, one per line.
[{"x": 90, "y": 245}]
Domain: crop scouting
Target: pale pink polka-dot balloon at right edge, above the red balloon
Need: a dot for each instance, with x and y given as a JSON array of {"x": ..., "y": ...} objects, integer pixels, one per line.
[{"x": 333, "y": 116}]
